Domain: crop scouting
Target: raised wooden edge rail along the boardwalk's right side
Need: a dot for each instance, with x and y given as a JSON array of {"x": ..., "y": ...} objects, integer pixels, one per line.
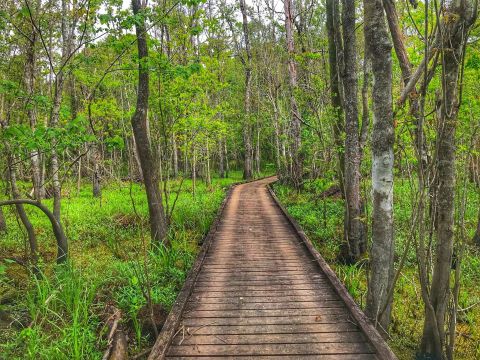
[{"x": 376, "y": 340}]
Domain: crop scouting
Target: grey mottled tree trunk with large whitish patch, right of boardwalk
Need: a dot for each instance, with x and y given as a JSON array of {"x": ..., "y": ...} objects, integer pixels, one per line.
[{"x": 379, "y": 47}]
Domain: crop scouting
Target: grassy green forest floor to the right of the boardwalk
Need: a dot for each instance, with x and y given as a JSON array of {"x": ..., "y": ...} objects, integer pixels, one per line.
[{"x": 322, "y": 220}]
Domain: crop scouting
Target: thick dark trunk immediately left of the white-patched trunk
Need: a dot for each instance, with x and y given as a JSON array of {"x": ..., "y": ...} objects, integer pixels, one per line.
[{"x": 355, "y": 230}]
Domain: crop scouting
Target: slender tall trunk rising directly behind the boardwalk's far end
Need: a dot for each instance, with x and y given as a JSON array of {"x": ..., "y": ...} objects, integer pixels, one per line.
[{"x": 247, "y": 131}]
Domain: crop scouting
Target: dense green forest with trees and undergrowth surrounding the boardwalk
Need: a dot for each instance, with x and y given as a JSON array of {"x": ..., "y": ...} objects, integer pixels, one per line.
[{"x": 123, "y": 124}]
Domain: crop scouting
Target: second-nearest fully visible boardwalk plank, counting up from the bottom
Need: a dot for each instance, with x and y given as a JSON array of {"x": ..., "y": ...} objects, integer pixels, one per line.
[{"x": 253, "y": 339}]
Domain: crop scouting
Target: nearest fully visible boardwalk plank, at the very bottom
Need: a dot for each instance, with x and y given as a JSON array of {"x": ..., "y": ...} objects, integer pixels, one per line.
[{"x": 271, "y": 349}]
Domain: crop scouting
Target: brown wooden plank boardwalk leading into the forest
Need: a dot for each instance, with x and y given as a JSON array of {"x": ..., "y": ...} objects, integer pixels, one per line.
[{"x": 257, "y": 291}]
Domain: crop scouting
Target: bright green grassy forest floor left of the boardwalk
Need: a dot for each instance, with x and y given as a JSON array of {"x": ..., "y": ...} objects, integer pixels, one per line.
[{"x": 62, "y": 314}]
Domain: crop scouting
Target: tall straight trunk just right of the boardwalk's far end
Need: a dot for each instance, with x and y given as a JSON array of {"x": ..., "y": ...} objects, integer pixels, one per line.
[{"x": 295, "y": 124}]
